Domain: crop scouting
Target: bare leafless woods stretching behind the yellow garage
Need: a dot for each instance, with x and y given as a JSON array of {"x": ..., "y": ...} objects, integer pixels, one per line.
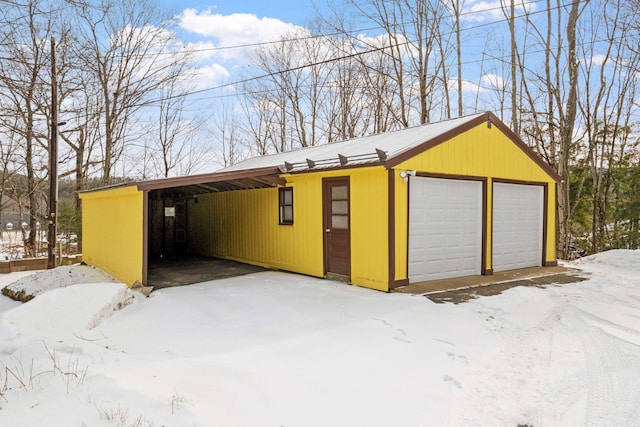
[{"x": 564, "y": 75}]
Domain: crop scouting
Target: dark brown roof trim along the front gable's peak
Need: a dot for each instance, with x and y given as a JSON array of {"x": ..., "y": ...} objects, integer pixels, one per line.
[{"x": 487, "y": 117}]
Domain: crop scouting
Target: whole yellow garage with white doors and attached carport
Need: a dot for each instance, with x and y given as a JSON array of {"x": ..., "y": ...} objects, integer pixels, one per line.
[{"x": 460, "y": 197}]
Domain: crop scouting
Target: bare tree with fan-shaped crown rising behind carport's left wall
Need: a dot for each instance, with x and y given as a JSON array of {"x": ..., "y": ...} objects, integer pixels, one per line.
[{"x": 126, "y": 48}]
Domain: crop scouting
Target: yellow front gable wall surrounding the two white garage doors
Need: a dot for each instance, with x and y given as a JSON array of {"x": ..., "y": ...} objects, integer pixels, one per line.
[{"x": 482, "y": 152}]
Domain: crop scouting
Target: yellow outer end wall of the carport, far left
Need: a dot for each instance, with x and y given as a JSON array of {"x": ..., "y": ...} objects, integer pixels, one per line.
[{"x": 112, "y": 232}]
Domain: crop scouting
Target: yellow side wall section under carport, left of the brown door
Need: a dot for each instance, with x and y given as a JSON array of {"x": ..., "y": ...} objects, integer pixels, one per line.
[{"x": 243, "y": 225}]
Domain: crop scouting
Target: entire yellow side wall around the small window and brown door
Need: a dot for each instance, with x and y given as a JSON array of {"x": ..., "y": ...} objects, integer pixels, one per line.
[{"x": 243, "y": 225}]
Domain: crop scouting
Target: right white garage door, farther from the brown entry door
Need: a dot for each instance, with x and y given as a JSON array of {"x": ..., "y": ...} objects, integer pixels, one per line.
[{"x": 517, "y": 226}]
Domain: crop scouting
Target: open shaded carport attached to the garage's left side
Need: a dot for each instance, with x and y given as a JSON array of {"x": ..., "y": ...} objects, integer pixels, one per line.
[{"x": 147, "y": 222}]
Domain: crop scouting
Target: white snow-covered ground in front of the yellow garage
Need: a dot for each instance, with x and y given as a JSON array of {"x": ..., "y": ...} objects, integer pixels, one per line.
[{"x": 276, "y": 349}]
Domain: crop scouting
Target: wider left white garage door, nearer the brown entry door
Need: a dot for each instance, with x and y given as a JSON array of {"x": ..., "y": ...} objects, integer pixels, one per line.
[{"x": 445, "y": 228}]
